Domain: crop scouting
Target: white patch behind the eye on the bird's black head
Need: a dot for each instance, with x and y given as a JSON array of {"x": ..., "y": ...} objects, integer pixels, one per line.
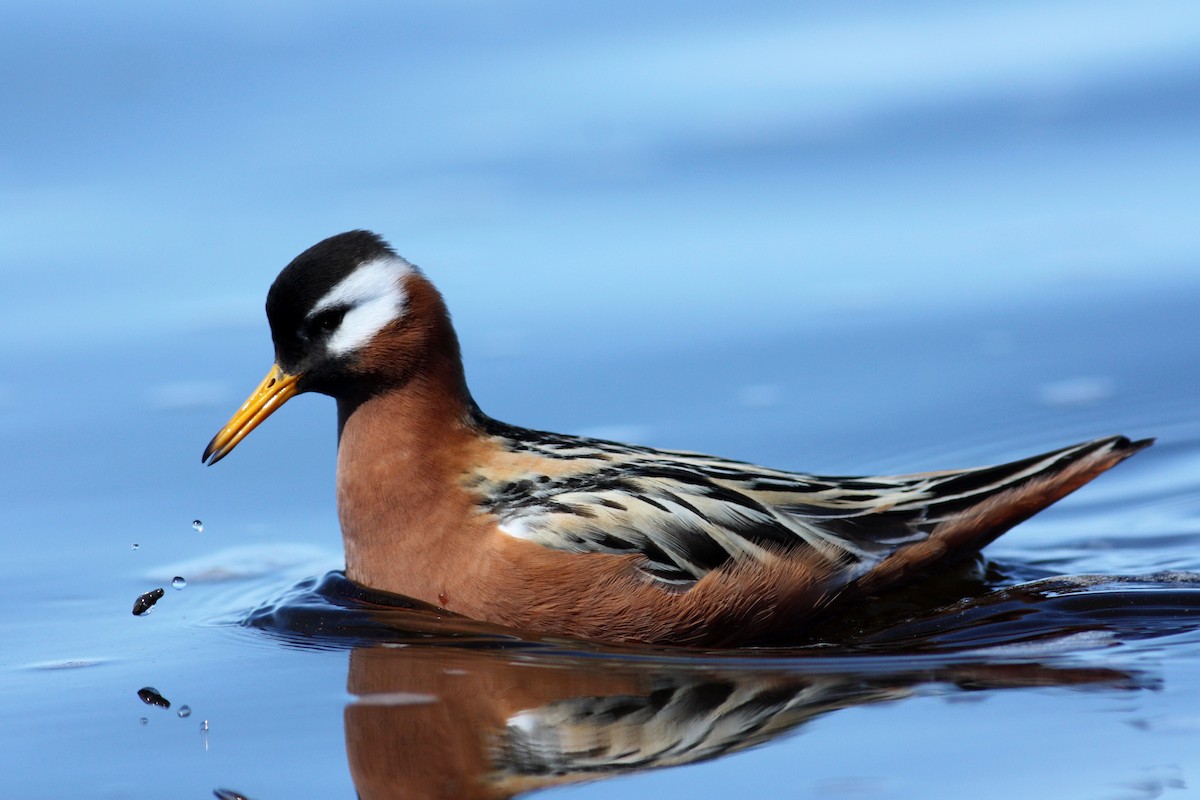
[{"x": 375, "y": 297}]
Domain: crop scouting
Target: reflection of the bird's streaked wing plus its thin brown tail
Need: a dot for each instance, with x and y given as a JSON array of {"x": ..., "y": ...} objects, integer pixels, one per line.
[{"x": 685, "y": 717}]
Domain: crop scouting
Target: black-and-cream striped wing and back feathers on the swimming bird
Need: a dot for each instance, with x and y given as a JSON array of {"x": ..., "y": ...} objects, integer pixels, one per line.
[{"x": 689, "y": 514}]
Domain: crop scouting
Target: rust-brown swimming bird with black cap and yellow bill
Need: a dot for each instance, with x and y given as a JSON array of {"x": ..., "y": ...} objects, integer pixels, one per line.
[{"x": 583, "y": 538}]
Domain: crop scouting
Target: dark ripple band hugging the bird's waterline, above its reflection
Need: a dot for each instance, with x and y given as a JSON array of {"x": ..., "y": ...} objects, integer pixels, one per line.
[{"x": 1037, "y": 618}]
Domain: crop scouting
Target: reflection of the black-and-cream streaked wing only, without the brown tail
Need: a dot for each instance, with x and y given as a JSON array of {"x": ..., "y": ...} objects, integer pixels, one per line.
[{"x": 682, "y": 721}]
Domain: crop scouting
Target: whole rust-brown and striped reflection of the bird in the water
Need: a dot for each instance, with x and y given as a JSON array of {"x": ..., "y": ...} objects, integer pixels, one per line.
[{"x": 452, "y": 723}]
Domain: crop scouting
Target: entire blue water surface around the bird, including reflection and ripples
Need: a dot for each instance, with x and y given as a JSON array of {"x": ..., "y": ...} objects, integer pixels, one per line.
[{"x": 845, "y": 240}]
